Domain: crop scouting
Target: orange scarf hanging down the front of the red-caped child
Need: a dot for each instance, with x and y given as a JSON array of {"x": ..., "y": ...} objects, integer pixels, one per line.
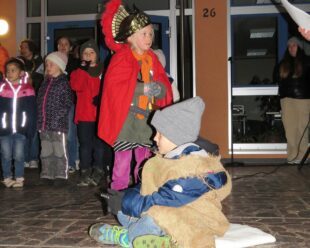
[{"x": 146, "y": 68}]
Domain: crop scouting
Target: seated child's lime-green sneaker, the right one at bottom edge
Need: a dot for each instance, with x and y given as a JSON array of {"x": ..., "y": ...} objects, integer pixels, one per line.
[{"x": 153, "y": 241}]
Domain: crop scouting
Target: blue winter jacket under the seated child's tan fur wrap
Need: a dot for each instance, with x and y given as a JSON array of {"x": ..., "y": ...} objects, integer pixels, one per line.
[{"x": 173, "y": 193}]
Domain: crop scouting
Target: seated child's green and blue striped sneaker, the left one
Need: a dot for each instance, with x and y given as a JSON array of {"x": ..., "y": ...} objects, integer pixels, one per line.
[{"x": 110, "y": 235}]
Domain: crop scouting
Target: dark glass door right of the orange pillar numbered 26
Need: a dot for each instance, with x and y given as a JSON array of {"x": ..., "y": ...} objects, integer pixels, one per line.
[{"x": 256, "y": 107}]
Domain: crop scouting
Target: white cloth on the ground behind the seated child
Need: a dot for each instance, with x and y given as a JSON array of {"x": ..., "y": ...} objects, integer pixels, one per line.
[{"x": 241, "y": 236}]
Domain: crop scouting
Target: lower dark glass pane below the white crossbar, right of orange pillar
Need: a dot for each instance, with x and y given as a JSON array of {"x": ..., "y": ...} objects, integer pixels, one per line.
[{"x": 257, "y": 119}]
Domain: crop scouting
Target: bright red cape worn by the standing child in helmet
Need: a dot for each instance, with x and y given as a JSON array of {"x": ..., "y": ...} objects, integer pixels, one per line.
[{"x": 118, "y": 90}]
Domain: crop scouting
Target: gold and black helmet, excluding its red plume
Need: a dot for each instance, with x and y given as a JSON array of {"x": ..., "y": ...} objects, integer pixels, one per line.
[{"x": 125, "y": 24}]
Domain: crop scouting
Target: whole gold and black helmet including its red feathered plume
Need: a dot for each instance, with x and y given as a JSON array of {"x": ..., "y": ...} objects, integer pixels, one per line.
[{"x": 118, "y": 23}]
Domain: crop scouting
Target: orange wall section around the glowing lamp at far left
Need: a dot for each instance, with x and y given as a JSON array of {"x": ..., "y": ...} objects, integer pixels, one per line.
[{"x": 8, "y": 12}]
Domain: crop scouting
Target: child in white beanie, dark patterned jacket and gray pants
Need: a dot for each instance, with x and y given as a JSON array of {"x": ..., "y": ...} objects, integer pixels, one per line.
[{"x": 54, "y": 102}]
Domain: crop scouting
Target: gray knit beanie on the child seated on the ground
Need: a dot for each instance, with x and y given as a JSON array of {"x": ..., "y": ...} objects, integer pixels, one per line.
[{"x": 180, "y": 122}]
